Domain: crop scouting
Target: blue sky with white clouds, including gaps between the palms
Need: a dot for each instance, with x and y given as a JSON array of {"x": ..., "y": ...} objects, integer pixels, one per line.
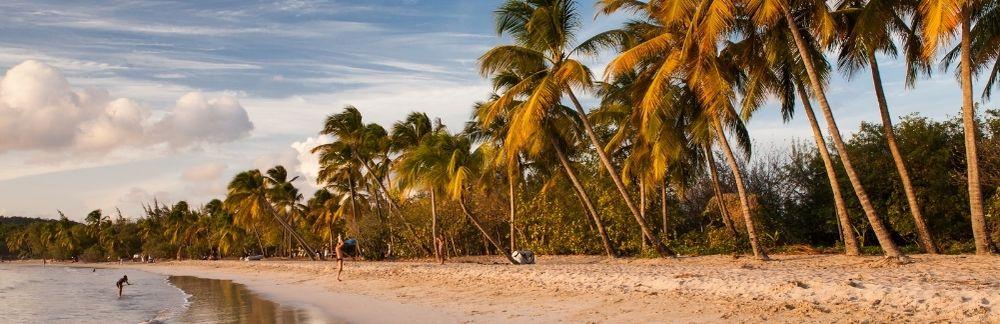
[{"x": 112, "y": 104}]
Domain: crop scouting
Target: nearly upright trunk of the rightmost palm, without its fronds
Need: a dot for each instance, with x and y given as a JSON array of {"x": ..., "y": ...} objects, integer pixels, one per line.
[{"x": 979, "y": 233}]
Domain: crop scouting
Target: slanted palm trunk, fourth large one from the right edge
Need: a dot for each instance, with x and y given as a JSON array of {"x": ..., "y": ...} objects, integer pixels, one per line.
[{"x": 843, "y": 219}]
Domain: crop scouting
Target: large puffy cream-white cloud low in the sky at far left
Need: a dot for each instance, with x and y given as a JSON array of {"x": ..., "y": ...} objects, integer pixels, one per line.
[{"x": 40, "y": 111}]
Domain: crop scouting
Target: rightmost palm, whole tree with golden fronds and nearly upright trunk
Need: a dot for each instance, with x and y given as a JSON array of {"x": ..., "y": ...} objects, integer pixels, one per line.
[{"x": 941, "y": 20}]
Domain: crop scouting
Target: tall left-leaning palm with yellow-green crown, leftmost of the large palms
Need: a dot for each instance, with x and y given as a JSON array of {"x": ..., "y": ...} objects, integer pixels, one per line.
[{"x": 543, "y": 32}]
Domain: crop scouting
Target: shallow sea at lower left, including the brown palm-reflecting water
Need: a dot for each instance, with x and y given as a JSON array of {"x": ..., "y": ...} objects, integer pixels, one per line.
[{"x": 59, "y": 294}]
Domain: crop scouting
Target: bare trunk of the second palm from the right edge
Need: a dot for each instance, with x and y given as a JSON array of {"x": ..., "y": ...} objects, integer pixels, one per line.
[{"x": 923, "y": 233}]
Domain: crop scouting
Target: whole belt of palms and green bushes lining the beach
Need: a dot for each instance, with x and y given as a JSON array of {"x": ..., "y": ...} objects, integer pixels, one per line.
[{"x": 663, "y": 163}]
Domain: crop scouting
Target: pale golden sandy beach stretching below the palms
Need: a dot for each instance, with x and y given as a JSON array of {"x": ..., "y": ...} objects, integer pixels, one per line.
[{"x": 792, "y": 288}]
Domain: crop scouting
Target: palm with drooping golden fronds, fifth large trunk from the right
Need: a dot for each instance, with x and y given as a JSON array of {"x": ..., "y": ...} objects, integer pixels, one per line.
[{"x": 682, "y": 46}]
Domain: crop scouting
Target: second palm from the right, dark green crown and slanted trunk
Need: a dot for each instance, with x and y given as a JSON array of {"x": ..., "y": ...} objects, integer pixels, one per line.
[{"x": 867, "y": 28}]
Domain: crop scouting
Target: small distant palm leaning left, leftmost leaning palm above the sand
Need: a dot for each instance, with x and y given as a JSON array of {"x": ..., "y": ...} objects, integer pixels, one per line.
[{"x": 247, "y": 199}]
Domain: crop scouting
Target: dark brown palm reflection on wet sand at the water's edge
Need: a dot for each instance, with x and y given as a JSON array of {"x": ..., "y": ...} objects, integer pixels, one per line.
[{"x": 223, "y": 301}]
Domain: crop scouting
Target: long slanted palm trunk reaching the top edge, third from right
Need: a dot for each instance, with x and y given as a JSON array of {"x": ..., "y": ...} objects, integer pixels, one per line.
[{"x": 881, "y": 232}]
